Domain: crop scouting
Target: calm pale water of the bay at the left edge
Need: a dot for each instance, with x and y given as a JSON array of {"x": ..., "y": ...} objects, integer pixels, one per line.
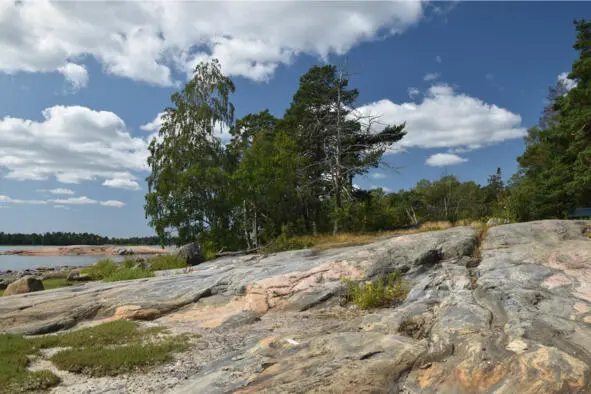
[{"x": 15, "y": 262}]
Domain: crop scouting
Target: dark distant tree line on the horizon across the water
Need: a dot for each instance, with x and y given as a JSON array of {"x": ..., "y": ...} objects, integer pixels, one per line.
[{"x": 68, "y": 238}]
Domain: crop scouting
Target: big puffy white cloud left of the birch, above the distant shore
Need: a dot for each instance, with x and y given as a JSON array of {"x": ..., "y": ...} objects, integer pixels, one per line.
[{"x": 72, "y": 144}]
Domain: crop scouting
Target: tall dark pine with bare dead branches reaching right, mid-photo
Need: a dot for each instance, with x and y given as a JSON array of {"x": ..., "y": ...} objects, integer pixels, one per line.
[{"x": 336, "y": 140}]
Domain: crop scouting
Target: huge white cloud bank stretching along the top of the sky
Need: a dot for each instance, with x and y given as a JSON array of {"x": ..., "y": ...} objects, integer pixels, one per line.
[{"x": 153, "y": 41}]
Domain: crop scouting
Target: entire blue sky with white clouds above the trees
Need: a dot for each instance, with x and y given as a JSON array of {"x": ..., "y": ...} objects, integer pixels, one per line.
[{"x": 82, "y": 85}]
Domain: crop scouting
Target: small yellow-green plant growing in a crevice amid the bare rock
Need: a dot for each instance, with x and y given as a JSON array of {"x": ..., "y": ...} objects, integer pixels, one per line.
[{"x": 382, "y": 292}]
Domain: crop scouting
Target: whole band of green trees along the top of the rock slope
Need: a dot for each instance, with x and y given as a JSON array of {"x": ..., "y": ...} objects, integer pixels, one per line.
[{"x": 294, "y": 174}]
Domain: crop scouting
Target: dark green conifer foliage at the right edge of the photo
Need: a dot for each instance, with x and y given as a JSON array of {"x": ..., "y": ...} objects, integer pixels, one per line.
[{"x": 554, "y": 174}]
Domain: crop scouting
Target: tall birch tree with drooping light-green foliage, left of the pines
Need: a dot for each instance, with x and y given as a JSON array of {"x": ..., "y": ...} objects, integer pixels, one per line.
[{"x": 188, "y": 185}]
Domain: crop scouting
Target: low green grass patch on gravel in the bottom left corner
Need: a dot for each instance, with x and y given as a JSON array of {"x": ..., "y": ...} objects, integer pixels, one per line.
[{"x": 106, "y": 349}]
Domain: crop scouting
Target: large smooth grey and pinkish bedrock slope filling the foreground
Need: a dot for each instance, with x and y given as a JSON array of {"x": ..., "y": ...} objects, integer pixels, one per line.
[{"x": 512, "y": 315}]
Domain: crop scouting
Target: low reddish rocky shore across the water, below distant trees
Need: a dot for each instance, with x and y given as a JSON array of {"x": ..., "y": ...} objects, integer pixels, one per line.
[{"x": 87, "y": 250}]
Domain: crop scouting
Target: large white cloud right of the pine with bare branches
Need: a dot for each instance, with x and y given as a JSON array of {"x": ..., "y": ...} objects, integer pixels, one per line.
[{"x": 447, "y": 119}]
